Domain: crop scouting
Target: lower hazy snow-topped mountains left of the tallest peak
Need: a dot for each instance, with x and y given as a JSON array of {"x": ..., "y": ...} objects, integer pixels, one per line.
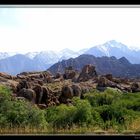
[{"x": 32, "y": 61}]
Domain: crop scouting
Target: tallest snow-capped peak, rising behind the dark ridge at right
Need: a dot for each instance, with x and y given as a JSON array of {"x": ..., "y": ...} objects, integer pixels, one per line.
[{"x": 117, "y": 49}]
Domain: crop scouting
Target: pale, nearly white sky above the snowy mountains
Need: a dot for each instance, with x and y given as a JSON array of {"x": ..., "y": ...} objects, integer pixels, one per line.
[{"x": 37, "y": 29}]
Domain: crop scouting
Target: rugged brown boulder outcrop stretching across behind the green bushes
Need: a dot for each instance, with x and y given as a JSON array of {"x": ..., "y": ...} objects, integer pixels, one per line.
[{"x": 45, "y": 89}]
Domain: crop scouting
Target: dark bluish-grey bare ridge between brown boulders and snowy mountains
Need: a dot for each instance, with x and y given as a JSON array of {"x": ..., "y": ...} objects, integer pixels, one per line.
[{"x": 104, "y": 65}]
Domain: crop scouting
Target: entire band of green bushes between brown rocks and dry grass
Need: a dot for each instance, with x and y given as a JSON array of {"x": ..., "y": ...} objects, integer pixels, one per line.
[{"x": 108, "y": 109}]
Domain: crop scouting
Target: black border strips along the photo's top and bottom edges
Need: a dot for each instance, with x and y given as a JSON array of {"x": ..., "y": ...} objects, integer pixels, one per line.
[{"x": 43, "y": 3}]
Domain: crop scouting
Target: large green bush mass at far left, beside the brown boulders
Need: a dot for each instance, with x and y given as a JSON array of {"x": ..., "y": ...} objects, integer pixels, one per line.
[{"x": 19, "y": 112}]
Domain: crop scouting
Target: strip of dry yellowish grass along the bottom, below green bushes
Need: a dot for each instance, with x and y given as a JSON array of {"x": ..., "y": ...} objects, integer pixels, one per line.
[{"x": 134, "y": 128}]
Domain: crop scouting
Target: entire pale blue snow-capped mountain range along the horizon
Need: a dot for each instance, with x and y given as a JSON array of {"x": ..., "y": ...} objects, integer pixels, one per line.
[{"x": 14, "y": 63}]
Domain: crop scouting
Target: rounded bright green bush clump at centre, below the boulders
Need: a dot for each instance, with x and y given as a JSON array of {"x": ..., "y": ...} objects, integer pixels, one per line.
[{"x": 65, "y": 116}]
